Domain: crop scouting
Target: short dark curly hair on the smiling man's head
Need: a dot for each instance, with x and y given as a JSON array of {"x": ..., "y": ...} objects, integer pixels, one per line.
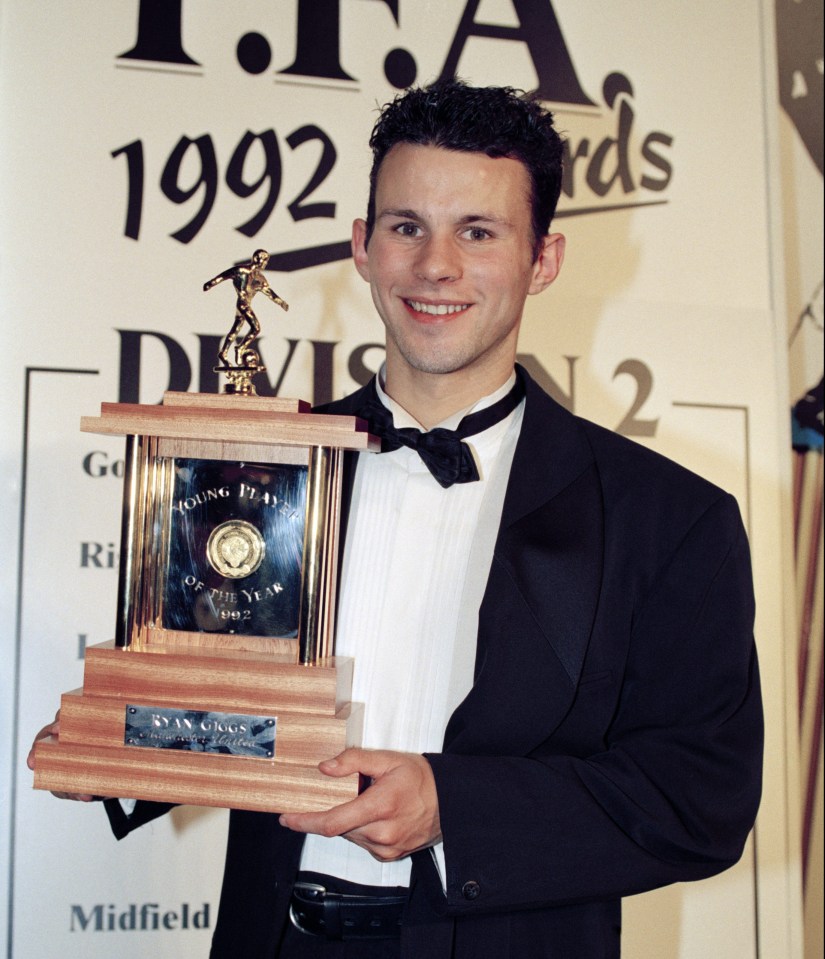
[{"x": 497, "y": 121}]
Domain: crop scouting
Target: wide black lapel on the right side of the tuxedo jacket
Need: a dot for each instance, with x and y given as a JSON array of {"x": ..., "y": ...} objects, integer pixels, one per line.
[{"x": 540, "y": 602}]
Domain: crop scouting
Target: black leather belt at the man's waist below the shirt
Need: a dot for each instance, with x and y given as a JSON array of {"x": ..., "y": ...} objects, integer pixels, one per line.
[{"x": 336, "y": 915}]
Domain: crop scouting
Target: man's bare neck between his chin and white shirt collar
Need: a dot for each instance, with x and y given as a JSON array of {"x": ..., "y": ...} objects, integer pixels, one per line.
[{"x": 432, "y": 397}]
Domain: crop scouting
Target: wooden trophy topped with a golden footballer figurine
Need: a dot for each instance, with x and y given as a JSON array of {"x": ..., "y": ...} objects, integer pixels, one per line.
[{"x": 221, "y": 687}]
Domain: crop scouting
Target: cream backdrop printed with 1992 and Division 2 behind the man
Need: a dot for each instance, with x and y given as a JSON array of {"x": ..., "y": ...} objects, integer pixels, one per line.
[{"x": 134, "y": 134}]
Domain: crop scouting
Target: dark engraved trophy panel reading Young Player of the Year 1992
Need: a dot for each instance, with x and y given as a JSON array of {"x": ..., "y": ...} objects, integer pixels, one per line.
[{"x": 234, "y": 544}]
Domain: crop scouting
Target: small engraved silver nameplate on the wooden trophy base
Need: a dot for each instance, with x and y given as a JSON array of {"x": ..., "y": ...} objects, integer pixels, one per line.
[{"x": 235, "y": 734}]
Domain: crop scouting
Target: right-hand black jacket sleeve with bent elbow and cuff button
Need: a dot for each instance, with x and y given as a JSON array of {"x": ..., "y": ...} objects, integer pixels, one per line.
[{"x": 673, "y": 792}]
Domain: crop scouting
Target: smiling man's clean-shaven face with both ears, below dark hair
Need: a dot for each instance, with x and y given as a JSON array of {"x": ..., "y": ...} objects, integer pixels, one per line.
[{"x": 450, "y": 261}]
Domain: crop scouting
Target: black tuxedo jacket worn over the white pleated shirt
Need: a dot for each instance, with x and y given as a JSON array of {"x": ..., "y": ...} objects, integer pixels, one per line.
[{"x": 612, "y": 740}]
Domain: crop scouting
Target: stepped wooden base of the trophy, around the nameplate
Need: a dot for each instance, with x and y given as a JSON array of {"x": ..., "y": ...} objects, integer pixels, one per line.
[{"x": 313, "y": 721}]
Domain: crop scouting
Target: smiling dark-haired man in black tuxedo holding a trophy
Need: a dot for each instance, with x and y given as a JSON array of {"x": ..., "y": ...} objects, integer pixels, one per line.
[{"x": 552, "y": 636}]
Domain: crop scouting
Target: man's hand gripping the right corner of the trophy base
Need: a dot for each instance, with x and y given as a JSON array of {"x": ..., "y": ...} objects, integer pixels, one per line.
[{"x": 396, "y": 815}]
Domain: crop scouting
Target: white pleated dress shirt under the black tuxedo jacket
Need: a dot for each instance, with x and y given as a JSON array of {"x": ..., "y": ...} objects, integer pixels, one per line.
[{"x": 415, "y": 567}]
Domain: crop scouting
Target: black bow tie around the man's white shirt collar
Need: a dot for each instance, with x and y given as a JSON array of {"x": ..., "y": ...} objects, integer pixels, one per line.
[{"x": 443, "y": 452}]
